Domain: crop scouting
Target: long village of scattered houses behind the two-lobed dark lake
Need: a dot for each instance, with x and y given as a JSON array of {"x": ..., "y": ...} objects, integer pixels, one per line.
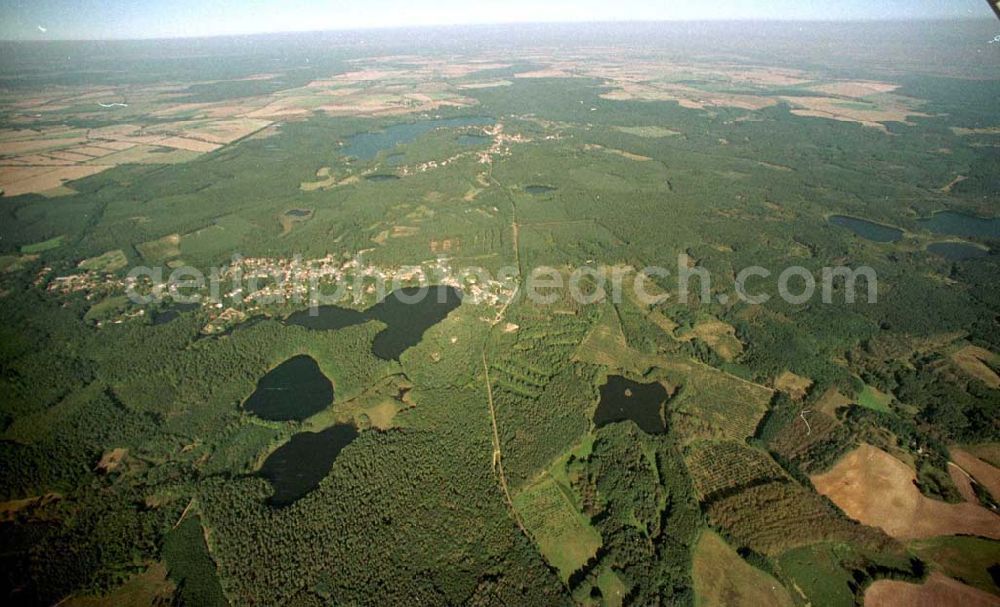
[{"x": 253, "y": 286}]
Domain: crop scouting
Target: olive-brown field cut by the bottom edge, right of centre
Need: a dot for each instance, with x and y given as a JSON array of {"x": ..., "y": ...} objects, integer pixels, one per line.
[{"x": 723, "y": 579}]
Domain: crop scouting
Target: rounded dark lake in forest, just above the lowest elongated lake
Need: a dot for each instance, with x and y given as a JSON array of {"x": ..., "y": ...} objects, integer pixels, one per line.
[{"x": 294, "y": 390}]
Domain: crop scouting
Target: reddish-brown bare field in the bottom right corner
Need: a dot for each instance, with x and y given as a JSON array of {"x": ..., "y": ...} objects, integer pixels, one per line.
[{"x": 937, "y": 591}]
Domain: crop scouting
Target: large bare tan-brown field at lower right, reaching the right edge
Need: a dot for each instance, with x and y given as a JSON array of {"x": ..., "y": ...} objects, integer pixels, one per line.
[{"x": 877, "y": 489}]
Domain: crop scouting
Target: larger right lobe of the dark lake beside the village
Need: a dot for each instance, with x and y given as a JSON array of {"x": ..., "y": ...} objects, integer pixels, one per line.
[{"x": 408, "y": 320}]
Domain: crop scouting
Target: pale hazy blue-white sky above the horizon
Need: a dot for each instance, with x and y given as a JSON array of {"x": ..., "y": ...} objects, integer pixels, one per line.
[{"x": 88, "y": 19}]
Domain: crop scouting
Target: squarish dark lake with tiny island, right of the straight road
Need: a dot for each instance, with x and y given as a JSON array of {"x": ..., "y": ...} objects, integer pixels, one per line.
[{"x": 623, "y": 399}]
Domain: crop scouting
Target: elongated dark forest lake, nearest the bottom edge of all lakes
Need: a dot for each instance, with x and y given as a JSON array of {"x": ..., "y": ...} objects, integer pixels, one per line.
[{"x": 298, "y": 466}]
